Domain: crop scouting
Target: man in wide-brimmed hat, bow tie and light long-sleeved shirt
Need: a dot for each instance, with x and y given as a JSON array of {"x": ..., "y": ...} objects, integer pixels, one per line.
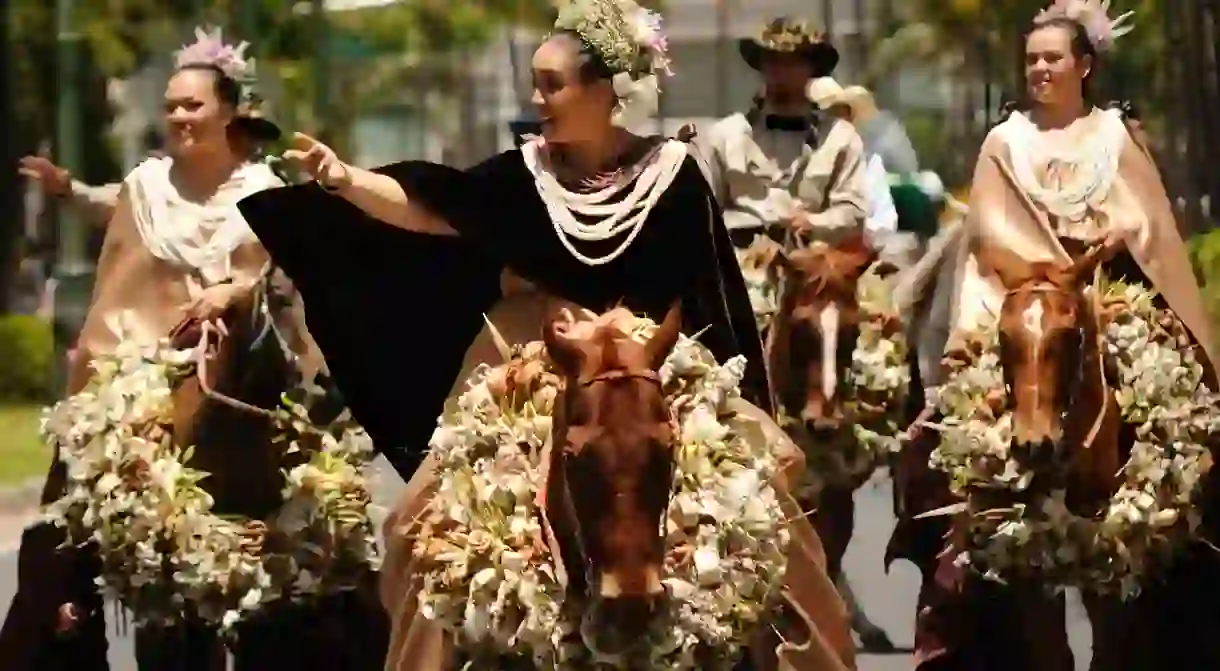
[{"x": 788, "y": 164}]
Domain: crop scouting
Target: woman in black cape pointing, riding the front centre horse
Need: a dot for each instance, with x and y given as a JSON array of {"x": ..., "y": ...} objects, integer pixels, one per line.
[{"x": 400, "y": 265}]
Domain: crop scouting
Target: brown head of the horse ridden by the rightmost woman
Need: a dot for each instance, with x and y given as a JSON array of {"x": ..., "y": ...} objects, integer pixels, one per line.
[{"x": 1049, "y": 341}]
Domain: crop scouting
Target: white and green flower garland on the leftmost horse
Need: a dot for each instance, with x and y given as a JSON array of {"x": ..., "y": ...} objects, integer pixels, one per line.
[{"x": 164, "y": 553}]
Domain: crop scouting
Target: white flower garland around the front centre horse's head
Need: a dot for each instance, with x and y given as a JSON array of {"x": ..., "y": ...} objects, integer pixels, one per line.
[{"x": 490, "y": 576}]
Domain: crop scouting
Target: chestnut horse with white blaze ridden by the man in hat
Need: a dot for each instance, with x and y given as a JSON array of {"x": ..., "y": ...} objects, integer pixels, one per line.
[{"x": 812, "y": 345}]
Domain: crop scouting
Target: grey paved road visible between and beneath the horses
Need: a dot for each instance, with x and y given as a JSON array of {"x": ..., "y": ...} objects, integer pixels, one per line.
[{"x": 890, "y": 600}]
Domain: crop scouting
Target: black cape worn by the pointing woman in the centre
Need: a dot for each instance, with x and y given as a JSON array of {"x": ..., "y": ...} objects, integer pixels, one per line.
[{"x": 395, "y": 312}]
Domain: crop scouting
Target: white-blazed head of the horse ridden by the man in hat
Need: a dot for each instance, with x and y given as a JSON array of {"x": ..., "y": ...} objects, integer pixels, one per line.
[{"x": 819, "y": 324}]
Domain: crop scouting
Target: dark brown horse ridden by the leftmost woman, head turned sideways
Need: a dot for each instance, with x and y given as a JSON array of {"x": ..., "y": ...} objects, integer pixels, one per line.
[{"x": 225, "y": 409}]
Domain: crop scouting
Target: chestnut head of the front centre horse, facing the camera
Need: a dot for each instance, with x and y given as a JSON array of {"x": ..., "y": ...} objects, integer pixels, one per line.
[{"x": 612, "y": 473}]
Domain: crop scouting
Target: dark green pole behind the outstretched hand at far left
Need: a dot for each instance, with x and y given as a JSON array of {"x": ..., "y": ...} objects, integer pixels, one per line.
[{"x": 74, "y": 278}]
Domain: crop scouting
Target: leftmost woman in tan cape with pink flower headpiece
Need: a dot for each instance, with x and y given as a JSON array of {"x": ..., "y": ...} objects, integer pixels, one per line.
[{"x": 176, "y": 249}]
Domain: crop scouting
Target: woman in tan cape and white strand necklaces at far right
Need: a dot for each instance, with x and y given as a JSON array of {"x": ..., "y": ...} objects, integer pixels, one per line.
[{"x": 1049, "y": 180}]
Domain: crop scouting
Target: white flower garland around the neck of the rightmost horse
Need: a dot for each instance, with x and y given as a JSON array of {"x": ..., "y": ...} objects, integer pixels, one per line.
[{"x": 1149, "y": 519}]
